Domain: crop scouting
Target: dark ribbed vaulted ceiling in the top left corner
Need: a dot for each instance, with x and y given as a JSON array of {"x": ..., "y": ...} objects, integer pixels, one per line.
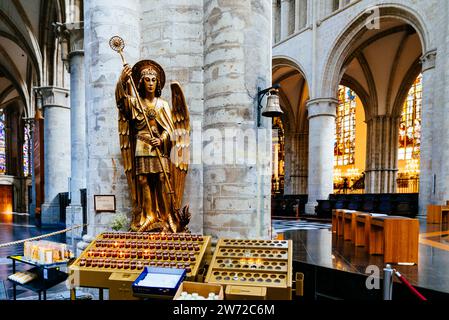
[{"x": 24, "y": 29}]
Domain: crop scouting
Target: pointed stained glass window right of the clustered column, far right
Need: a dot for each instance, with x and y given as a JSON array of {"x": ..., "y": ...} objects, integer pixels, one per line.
[{"x": 410, "y": 125}]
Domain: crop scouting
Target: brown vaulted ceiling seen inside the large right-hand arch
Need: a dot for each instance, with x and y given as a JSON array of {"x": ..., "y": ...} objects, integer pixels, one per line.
[{"x": 382, "y": 65}]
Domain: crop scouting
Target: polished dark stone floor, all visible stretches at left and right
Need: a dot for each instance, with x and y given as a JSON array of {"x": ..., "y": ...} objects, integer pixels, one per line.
[{"x": 313, "y": 243}]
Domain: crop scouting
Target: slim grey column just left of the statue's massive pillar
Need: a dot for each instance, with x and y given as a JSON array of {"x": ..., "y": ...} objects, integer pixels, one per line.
[{"x": 74, "y": 212}]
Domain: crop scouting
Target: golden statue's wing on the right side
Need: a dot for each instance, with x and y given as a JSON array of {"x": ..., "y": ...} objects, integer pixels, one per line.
[{"x": 180, "y": 155}]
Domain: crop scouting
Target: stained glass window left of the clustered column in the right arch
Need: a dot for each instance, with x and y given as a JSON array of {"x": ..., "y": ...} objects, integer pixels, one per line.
[{"x": 344, "y": 148}]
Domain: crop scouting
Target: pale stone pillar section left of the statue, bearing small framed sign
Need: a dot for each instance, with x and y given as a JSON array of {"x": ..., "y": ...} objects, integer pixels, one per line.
[{"x": 105, "y": 175}]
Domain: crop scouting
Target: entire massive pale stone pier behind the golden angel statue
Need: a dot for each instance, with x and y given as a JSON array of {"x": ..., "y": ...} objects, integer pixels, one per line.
[{"x": 219, "y": 51}]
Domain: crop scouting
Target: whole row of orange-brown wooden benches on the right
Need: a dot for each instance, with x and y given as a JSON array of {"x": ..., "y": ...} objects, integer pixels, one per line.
[{"x": 394, "y": 237}]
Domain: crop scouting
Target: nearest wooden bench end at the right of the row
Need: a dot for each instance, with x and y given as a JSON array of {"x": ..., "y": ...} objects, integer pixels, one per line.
[{"x": 395, "y": 237}]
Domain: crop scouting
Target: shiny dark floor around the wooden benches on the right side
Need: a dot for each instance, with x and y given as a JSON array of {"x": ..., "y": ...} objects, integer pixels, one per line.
[{"x": 322, "y": 248}]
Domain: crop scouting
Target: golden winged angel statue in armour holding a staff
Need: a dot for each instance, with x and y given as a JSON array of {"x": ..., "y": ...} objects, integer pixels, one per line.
[{"x": 154, "y": 142}]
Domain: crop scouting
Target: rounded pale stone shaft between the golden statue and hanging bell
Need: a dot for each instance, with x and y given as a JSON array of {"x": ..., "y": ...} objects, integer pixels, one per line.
[{"x": 237, "y": 61}]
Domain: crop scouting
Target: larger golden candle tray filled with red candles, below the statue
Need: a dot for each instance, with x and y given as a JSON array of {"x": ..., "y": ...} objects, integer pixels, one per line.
[{"x": 116, "y": 259}]
